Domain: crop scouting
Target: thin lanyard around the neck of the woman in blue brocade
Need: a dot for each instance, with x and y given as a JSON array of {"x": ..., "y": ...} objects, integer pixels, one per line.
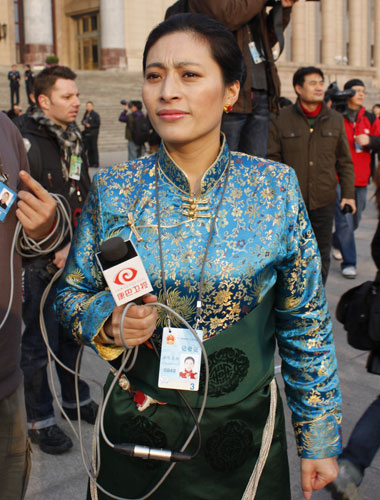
[{"x": 212, "y": 228}]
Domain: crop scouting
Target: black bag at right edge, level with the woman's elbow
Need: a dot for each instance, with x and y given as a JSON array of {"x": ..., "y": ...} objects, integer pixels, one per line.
[{"x": 359, "y": 311}]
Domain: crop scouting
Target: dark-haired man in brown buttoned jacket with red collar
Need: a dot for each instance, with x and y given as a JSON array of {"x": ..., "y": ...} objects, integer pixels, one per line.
[{"x": 310, "y": 137}]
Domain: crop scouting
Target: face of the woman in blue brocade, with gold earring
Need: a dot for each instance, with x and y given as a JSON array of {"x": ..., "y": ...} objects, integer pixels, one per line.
[{"x": 184, "y": 91}]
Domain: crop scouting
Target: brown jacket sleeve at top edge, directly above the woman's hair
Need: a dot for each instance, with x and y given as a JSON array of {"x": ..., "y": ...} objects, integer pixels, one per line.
[{"x": 232, "y": 13}]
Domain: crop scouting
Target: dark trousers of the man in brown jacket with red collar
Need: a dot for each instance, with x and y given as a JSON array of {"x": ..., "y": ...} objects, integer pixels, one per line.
[{"x": 322, "y": 223}]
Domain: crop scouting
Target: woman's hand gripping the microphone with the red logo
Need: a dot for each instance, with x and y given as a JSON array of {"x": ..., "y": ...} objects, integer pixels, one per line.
[{"x": 139, "y": 323}]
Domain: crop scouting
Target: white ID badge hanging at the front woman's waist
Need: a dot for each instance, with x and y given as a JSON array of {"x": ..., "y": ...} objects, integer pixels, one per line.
[{"x": 180, "y": 361}]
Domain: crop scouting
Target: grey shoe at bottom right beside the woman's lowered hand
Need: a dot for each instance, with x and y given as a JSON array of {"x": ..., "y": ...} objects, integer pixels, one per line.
[{"x": 345, "y": 486}]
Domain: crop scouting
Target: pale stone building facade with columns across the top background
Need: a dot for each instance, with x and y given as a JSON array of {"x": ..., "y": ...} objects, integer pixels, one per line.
[{"x": 337, "y": 35}]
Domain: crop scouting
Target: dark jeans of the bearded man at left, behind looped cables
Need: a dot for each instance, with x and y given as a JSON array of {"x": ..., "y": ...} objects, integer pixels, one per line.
[{"x": 38, "y": 398}]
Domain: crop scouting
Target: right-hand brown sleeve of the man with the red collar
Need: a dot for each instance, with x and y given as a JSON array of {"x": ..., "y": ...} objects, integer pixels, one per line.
[{"x": 344, "y": 165}]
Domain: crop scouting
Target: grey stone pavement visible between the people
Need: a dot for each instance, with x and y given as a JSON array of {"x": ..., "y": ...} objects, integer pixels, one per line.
[{"x": 63, "y": 477}]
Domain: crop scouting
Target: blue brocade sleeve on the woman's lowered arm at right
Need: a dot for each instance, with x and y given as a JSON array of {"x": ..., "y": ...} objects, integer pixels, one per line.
[{"x": 304, "y": 335}]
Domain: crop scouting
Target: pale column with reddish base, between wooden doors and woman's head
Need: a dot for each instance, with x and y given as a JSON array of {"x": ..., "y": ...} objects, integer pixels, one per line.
[{"x": 113, "y": 53}]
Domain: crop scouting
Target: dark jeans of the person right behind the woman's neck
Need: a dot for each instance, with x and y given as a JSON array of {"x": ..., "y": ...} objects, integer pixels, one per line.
[{"x": 248, "y": 133}]
